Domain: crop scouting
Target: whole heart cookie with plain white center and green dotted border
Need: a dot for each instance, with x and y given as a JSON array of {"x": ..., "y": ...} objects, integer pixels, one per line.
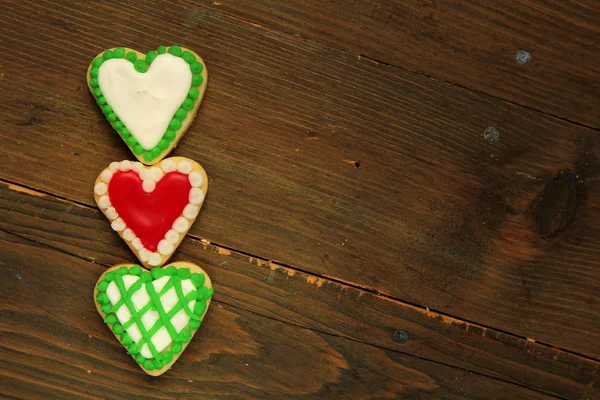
[{"x": 150, "y": 99}]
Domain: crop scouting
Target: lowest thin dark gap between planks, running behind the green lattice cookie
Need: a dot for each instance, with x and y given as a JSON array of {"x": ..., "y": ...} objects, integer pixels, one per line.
[{"x": 302, "y": 326}]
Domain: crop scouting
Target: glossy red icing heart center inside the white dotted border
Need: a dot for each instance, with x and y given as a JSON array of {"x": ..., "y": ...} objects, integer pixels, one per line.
[{"x": 149, "y": 215}]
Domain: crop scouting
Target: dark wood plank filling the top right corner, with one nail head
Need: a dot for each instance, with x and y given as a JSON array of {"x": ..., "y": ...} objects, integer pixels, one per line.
[{"x": 469, "y": 43}]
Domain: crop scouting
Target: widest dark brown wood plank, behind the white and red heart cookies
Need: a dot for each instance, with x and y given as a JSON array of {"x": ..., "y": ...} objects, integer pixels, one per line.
[{"x": 338, "y": 166}]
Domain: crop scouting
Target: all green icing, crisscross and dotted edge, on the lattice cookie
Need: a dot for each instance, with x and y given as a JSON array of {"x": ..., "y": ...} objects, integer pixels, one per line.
[{"x": 175, "y": 277}]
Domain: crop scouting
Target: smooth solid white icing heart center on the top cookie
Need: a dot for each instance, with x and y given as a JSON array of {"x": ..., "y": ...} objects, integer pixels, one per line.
[{"x": 146, "y": 102}]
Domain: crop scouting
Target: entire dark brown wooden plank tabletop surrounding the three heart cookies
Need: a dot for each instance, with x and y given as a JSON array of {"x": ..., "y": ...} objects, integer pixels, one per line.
[{"x": 367, "y": 235}]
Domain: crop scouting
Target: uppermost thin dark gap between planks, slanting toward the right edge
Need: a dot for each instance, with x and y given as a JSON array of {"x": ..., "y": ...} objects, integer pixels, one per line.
[{"x": 360, "y": 56}]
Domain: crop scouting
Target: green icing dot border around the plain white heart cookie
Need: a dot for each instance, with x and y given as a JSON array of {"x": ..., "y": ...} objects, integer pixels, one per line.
[{"x": 142, "y": 65}]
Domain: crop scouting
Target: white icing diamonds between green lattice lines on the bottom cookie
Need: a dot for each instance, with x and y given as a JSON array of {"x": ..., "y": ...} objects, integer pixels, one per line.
[{"x": 161, "y": 339}]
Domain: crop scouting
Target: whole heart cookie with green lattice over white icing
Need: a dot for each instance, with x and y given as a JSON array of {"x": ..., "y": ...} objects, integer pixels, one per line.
[{"x": 154, "y": 314}]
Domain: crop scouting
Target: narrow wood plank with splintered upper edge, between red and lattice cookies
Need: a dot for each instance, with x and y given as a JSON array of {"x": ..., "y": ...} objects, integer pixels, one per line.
[{"x": 318, "y": 304}]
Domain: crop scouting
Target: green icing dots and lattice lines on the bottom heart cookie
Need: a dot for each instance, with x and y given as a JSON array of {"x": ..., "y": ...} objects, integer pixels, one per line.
[{"x": 201, "y": 295}]
